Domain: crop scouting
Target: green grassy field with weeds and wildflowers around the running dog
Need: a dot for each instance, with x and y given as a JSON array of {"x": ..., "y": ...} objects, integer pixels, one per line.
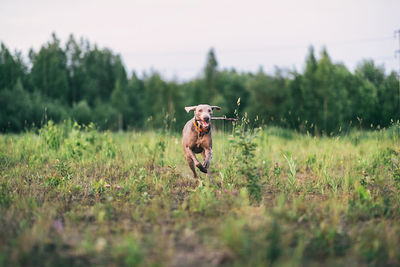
[{"x": 72, "y": 195}]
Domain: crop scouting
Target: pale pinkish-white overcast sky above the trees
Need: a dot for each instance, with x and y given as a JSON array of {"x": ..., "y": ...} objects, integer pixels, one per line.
[{"x": 174, "y": 36}]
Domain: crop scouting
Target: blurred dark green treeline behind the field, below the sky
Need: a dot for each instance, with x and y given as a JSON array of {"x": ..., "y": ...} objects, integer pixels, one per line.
[{"x": 88, "y": 84}]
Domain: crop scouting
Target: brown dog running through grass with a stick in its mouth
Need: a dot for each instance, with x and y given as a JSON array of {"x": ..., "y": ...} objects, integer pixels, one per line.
[{"x": 196, "y": 137}]
